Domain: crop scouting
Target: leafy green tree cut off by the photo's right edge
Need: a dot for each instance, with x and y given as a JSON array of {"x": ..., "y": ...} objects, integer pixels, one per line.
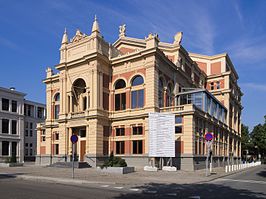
[{"x": 258, "y": 136}]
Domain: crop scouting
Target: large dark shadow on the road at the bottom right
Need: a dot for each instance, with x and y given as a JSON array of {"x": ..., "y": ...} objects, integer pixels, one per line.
[{"x": 155, "y": 190}]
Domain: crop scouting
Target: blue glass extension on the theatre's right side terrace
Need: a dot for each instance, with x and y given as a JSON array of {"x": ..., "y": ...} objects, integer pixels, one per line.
[{"x": 204, "y": 101}]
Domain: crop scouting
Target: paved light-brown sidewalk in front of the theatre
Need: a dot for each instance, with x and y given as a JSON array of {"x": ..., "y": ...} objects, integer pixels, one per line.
[{"x": 91, "y": 176}]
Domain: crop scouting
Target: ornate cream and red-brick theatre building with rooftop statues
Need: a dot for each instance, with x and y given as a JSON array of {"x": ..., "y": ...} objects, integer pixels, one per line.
[{"x": 104, "y": 93}]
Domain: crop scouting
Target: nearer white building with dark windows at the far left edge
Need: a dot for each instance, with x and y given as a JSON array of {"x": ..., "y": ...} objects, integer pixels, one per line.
[{"x": 11, "y": 124}]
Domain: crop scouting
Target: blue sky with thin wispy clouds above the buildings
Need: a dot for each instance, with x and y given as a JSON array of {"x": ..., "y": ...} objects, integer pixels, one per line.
[{"x": 31, "y": 33}]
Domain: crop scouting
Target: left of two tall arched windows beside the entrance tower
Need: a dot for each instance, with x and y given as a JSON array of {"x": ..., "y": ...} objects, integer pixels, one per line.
[{"x": 120, "y": 95}]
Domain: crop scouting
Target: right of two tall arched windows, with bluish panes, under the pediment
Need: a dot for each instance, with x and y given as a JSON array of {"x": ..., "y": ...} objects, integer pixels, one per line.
[{"x": 137, "y": 92}]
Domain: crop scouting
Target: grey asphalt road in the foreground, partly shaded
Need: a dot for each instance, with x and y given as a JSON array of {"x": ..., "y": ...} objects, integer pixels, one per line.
[{"x": 250, "y": 183}]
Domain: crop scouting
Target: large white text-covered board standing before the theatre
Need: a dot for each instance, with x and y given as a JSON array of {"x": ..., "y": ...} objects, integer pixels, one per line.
[{"x": 161, "y": 135}]
